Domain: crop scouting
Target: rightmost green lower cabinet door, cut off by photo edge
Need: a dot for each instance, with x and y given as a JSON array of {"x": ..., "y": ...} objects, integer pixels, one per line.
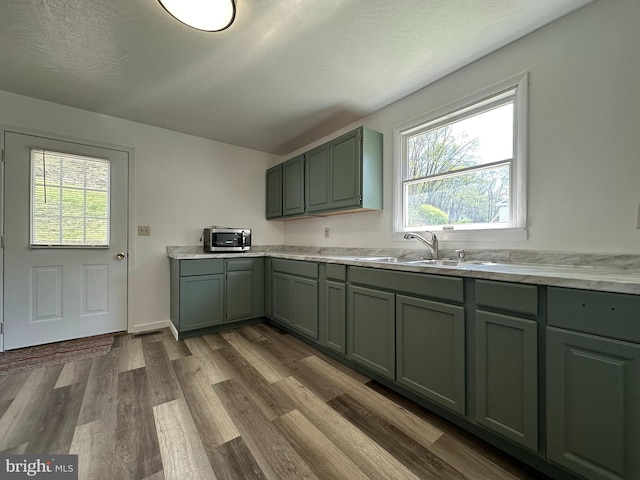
[{"x": 593, "y": 405}]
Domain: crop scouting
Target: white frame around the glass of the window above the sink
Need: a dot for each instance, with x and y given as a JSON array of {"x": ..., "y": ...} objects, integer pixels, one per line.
[{"x": 516, "y": 228}]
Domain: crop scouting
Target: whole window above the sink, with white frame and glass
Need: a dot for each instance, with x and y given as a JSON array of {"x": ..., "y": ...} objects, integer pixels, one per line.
[{"x": 463, "y": 167}]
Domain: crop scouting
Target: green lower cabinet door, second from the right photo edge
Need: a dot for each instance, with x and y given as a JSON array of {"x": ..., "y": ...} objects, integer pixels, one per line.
[{"x": 506, "y": 376}]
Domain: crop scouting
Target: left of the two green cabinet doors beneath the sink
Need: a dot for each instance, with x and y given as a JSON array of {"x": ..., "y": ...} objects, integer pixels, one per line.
[{"x": 371, "y": 324}]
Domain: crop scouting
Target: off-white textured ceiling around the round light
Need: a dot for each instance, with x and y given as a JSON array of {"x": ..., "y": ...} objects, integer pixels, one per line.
[{"x": 286, "y": 73}]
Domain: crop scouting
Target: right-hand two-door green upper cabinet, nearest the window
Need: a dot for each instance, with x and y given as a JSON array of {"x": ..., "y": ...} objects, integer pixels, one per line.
[{"x": 345, "y": 174}]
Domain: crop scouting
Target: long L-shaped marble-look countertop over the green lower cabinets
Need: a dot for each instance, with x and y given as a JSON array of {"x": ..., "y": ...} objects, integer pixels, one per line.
[{"x": 607, "y": 279}]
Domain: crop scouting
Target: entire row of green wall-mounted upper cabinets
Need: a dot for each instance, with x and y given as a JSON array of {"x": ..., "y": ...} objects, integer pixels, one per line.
[{"x": 340, "y": 176}]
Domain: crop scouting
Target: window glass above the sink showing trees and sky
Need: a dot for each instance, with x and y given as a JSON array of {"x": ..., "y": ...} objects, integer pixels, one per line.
[{"x": 457, "y": 171}]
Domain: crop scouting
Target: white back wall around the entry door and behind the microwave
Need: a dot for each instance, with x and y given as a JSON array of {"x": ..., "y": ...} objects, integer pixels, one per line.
[{"x": 182, "y": 183}]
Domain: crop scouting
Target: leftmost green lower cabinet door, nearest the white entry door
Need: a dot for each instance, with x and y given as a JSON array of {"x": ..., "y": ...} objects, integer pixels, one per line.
[{"x": 201, "y": 301}]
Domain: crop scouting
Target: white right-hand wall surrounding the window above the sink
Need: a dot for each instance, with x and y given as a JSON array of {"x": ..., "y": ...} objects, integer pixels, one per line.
[{"x": 584, "y": 127}]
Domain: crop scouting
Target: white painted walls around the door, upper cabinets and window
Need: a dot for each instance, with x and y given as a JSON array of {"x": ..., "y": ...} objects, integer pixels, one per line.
[{"x": 584, "y": 168}]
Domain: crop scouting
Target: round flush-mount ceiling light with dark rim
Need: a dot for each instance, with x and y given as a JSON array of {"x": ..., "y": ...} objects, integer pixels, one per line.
[{"x": 207, "y": 15}]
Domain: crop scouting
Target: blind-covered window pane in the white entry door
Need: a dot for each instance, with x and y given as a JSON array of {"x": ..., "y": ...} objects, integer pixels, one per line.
[{"x": 69, "y": 200}]
